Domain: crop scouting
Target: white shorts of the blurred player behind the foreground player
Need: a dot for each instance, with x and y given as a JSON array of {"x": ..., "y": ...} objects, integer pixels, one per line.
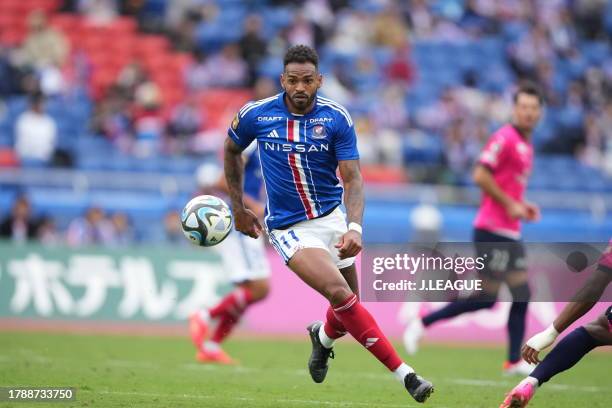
[{"x": 244, "y": 258}]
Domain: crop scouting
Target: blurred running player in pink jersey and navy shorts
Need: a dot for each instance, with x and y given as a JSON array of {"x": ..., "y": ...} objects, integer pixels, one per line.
[{"x": 501, "y": 173}]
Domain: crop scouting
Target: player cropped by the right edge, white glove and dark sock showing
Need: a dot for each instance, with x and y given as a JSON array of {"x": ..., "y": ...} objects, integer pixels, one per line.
[{"x": 575, "y": 345}]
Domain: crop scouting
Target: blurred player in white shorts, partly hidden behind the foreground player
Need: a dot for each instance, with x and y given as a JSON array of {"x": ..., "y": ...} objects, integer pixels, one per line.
[{"x": 243, "y": 258}]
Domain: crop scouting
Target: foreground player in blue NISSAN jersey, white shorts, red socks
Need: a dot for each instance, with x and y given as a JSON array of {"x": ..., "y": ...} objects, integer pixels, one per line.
[{"x": 303, "y": 139}]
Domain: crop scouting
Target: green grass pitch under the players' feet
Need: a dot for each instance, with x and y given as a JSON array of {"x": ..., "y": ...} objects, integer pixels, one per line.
[{"x": 135, "y": 371}]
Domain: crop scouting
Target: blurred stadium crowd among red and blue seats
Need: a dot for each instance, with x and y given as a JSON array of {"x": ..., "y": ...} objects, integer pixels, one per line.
[{"x": 150, "y": 85}]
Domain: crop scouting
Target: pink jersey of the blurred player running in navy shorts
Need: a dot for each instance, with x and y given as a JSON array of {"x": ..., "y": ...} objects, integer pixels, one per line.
[{"x": 509, "y": 157}]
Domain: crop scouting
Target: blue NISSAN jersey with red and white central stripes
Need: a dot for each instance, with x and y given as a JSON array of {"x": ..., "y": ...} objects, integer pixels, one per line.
[{"x": 299, "y": 155}]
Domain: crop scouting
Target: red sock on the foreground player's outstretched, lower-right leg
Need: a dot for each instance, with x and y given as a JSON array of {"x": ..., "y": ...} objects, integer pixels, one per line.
[{"x": 362, "y": 326}]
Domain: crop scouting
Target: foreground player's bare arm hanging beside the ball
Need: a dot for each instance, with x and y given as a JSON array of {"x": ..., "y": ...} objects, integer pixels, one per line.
[{"x": 245, "y": 220}]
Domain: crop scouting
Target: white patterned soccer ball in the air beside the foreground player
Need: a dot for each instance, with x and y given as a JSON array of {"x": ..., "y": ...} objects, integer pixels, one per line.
[{"x": 206, "y": 220}]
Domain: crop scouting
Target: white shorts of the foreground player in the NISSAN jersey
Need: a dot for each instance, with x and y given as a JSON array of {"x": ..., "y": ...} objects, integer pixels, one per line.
[{"x": 323, "y": 232}]
